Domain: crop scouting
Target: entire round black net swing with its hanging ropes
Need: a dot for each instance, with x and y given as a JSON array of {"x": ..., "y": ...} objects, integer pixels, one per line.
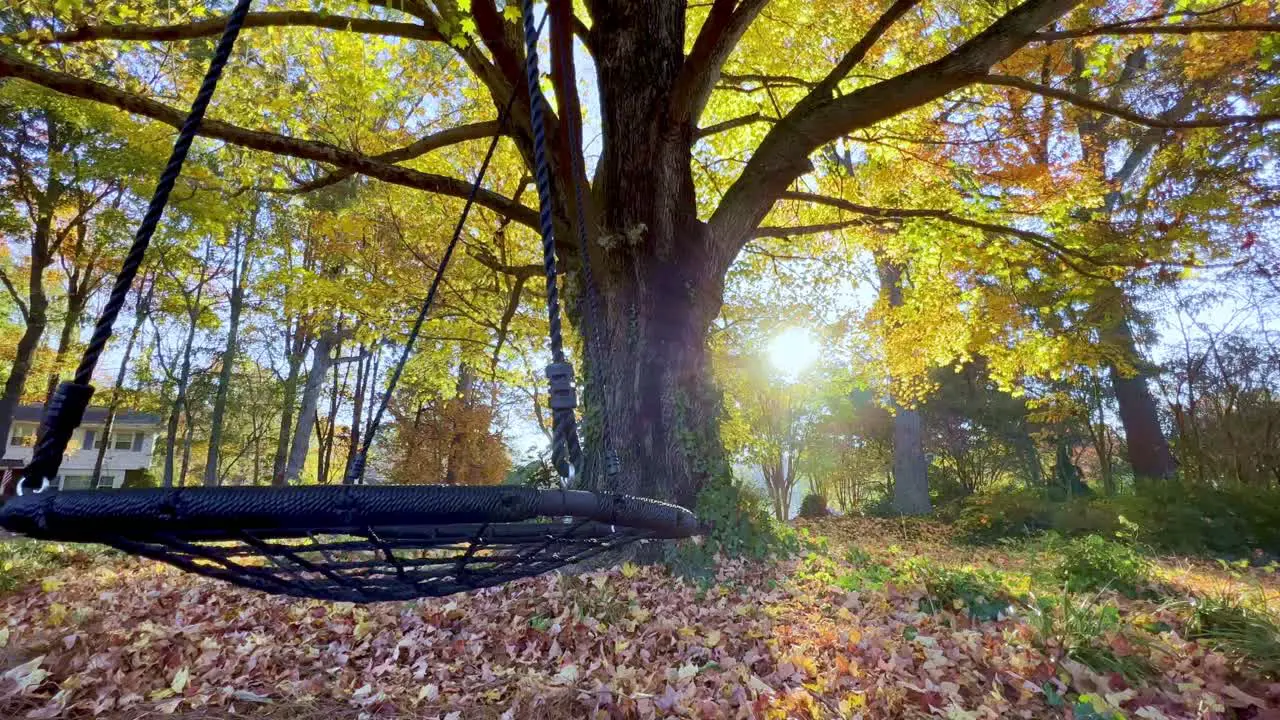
[{"x": 351, "y": 543}]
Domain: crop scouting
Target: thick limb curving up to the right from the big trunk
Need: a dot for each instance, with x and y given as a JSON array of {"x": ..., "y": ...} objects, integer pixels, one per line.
[{"x": 784, "y": 156}]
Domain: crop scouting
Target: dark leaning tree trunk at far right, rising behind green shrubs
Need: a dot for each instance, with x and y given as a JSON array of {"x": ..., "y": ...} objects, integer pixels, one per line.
[{"x": 1145, "y": 440}]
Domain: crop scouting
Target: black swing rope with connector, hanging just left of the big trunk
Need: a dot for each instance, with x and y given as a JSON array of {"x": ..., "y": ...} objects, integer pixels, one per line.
[{"x": 566, "y": 450}]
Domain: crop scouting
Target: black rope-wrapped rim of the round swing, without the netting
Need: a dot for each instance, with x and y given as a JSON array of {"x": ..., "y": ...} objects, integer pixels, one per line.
[{"x": 212, "y": 514}]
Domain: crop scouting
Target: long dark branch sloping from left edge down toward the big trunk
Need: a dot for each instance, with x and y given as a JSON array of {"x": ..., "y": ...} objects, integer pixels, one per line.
[{"x": 266, "y": 142}]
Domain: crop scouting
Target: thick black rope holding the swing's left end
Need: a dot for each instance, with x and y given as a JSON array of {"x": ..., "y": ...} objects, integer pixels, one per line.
[{"x": 67, "y": 408}]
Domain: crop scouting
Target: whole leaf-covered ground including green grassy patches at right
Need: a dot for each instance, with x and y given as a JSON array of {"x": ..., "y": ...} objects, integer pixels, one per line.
[{"x": 881, "y": 619}]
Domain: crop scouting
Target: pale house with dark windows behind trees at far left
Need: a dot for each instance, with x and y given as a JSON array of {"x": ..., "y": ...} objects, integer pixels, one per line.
[{"x": 129, "y": 450}]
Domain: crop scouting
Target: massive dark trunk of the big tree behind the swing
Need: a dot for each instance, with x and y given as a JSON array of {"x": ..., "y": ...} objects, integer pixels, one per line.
[{"x": 660, "y": 274}]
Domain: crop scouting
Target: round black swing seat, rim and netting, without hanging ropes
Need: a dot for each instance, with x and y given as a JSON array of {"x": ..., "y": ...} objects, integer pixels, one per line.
[{"x": 355, "y": 544}]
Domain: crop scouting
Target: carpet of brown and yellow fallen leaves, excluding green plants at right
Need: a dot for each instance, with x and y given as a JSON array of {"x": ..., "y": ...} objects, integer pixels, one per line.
[{"x": 762, "y": 641}]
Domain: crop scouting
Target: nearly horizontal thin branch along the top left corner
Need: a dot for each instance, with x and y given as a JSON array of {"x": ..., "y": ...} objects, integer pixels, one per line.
[{"x": 216, "y": 26}]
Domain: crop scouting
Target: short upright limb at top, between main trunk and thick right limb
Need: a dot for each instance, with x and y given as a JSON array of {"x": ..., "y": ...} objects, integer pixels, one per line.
[{"x": 701, "y": 71}]
